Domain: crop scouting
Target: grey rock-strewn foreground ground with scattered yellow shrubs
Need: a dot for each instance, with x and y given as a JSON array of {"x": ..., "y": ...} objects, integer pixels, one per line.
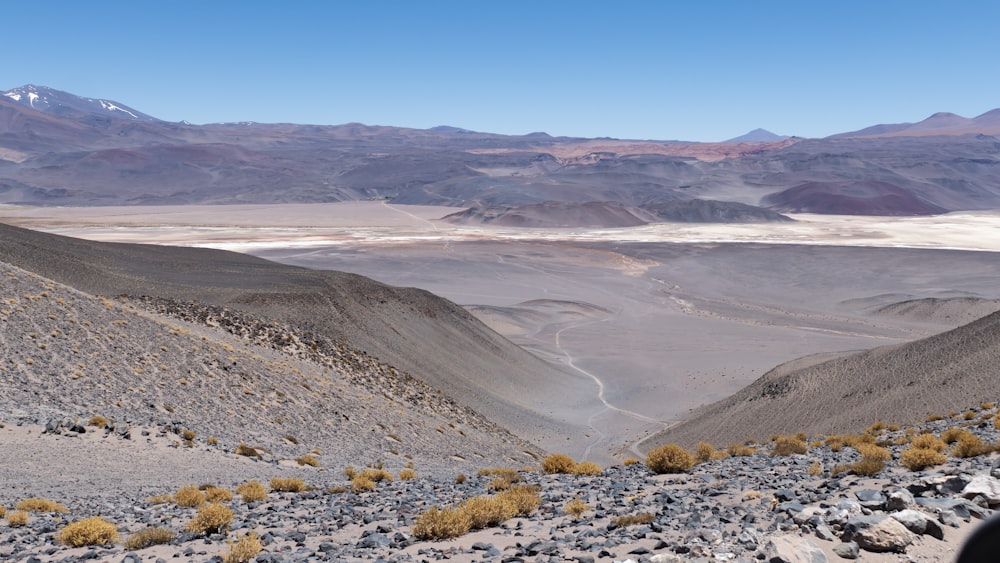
[{"x": 758, "y": 507}]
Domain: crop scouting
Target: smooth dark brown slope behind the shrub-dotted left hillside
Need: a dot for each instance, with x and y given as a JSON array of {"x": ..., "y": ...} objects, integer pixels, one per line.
[{"x": 411, "y": 329}]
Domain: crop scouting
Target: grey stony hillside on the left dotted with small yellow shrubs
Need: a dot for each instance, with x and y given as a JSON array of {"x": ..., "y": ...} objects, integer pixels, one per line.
[{"x": 176, "y": 368}]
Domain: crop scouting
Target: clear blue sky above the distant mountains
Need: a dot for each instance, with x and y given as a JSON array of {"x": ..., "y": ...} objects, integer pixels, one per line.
[{"x": 699, "y": 71}]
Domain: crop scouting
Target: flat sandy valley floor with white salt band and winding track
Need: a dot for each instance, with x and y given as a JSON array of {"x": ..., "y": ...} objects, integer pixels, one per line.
[{"x": 661, "y": 318}]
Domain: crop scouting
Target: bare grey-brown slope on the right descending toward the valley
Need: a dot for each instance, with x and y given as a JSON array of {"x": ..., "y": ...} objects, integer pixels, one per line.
[{"x": 897, "y": 384}]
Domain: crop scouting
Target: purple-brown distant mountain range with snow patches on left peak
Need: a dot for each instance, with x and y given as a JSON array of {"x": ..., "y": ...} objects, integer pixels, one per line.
[{"x": 61, "y": 149}]
